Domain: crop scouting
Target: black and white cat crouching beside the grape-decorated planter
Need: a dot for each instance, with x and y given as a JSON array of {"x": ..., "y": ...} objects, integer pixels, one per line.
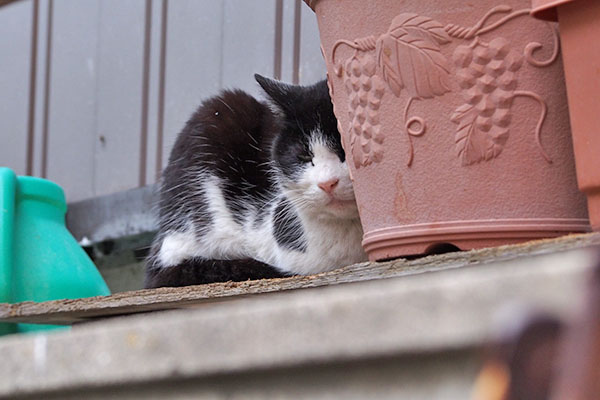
[{"x": 256, "y": 191}]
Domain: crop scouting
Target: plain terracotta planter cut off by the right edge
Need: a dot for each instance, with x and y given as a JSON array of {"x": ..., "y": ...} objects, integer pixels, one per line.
[{"x": 579, "y": 34}]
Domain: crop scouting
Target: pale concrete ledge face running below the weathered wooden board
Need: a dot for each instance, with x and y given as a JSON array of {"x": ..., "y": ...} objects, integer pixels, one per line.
[{"x": 430, "y": 313}]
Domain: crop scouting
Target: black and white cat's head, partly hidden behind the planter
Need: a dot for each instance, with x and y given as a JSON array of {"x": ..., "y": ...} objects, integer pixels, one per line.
[{"x": 308, "y": 157}]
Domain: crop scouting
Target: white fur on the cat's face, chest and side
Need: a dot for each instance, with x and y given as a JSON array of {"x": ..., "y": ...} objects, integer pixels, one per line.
[{"x": 332, "y": 231}]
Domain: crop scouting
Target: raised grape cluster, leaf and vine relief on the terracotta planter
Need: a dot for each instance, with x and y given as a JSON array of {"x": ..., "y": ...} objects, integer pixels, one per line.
[{"x": 407, "y": 58}]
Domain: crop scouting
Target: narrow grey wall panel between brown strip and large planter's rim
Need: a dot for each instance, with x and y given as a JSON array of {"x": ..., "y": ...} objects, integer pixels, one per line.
[{"x": 312, "y": 65}]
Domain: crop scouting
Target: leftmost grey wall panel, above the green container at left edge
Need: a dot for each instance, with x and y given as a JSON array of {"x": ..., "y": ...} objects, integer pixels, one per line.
[{"x": 15, "y": 54}]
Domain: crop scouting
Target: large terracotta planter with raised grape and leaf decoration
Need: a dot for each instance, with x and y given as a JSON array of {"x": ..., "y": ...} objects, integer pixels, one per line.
[{"x": 454, "y": 122}]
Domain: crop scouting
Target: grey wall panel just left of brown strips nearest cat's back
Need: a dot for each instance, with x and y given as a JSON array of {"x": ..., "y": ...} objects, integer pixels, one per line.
[{"x": 119, "y": 95}]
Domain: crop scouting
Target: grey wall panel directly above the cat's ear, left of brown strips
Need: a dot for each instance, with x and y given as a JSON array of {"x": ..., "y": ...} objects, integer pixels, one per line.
[{"x": 248, "y": 42}]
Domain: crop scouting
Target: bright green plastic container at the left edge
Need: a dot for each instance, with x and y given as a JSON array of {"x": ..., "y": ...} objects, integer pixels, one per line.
[{"x": 39, "y": 259}]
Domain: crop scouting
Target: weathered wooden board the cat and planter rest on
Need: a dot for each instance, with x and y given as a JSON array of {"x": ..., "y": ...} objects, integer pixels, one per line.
[{"x": 72, "y": 311}]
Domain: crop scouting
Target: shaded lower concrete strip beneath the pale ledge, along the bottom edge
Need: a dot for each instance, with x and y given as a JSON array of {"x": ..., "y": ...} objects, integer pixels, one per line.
[{"x": 447, "y": 376}]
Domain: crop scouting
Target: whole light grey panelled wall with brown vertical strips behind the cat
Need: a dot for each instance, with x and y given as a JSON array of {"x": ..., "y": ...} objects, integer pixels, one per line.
[{"x": 93, "y": 92}]
